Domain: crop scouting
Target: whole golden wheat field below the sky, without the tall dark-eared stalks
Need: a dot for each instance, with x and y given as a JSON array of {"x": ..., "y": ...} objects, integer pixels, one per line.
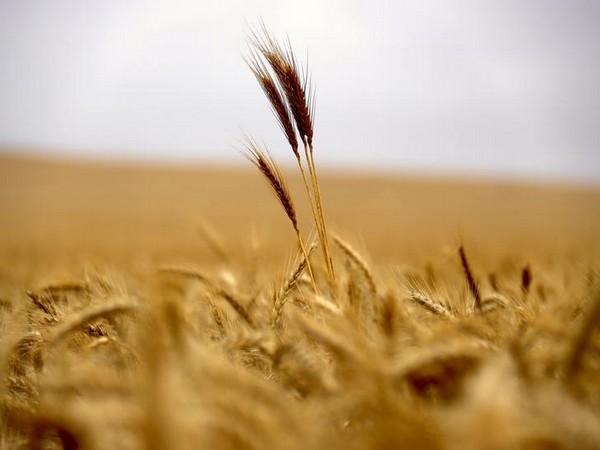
[{"x": 161, "y": 307}]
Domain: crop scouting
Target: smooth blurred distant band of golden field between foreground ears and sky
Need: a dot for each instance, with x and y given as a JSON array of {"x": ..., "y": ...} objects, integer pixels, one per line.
[{"x": 74, "y": 211}]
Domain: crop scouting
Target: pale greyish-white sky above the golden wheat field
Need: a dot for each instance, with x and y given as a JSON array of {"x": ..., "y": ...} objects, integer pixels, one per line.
[{"x": 501, "y": 88}]
